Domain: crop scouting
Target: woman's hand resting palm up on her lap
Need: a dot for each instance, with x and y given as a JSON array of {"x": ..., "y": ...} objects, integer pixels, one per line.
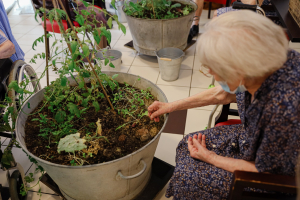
[{"x": 197, "y": 148}]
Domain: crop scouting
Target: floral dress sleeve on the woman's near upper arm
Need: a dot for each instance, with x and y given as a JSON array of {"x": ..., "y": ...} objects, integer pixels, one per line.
[{"x": 278, "y": 149}]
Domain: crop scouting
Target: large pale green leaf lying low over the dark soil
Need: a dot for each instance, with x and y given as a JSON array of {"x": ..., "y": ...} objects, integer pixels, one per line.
[{"x": 71, "y": 143}]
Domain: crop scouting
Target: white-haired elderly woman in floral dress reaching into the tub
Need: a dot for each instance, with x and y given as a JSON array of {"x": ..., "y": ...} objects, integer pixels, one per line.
[{"x": 248, "y": 55}]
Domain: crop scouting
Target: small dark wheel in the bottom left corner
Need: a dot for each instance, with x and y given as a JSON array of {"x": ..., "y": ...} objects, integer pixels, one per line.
[{"x": 15, "y": 182}]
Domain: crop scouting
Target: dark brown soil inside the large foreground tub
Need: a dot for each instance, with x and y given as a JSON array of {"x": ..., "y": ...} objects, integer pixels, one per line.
[{"x": 122, "y": 142}]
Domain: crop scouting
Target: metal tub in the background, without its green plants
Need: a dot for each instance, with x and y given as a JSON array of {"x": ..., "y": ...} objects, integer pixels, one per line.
[{"x": 150, "y": 35}]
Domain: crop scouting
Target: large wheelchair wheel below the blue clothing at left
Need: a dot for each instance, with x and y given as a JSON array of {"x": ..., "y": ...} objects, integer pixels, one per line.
[{"x": 20, "y": 70}]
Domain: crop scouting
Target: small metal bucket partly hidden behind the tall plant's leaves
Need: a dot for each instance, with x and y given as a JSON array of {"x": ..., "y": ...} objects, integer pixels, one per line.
[{"x": 114, "y": 56}]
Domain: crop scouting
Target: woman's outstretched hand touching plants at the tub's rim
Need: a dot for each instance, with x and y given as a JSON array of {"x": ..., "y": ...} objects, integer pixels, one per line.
[{"x": 159, "y": 108}]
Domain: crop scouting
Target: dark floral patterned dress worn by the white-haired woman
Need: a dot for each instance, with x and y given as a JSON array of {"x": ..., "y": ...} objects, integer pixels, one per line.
[{"x": 269, "y": 135}]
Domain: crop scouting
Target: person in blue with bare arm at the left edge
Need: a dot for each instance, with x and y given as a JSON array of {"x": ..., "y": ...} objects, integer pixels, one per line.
[{"x": 9, "y": 47}]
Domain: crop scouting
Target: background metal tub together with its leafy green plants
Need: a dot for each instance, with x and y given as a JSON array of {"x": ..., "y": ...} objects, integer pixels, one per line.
[{"x": 156, "y": 24}]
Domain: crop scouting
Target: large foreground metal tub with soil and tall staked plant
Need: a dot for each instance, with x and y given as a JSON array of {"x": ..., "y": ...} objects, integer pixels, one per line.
[{"x": 89, "y": 129}]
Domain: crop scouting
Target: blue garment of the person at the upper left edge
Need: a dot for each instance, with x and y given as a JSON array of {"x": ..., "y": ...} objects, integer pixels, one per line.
[{"x": 5, "y": 28}]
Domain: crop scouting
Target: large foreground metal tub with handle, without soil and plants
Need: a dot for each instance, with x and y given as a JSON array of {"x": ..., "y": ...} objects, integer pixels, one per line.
[{"x": 100, "y": 181}]
